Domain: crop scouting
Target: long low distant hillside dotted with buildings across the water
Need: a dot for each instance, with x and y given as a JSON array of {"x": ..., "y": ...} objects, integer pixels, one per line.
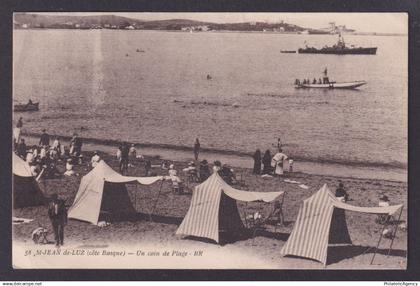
[{"x": 26, "y": 20}]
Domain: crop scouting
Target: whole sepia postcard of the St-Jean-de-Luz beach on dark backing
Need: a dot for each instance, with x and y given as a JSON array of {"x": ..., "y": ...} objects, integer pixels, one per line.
[{"x": 151, "y": 140}]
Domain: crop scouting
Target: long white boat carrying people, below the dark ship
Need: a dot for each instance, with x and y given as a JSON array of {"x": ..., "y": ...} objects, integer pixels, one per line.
[{"x": 325, "y": 83}]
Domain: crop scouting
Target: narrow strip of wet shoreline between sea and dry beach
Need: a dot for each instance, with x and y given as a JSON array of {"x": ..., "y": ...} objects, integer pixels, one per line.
[{"x": 236, "y": 158}]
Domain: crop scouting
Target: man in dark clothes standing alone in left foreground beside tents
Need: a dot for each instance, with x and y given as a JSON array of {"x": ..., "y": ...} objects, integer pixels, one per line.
[{"x": 57, "y": 213}]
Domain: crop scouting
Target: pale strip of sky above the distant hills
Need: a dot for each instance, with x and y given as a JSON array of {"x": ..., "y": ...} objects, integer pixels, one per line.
[{"x": 361, "y": 22}]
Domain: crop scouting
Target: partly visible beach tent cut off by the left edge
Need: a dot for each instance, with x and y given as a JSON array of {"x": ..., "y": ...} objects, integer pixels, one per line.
[{"x": 26, "y": 191}]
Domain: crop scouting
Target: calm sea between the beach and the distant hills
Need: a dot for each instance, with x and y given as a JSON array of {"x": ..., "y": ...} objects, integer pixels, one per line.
[{"x": 96, "y": 83}]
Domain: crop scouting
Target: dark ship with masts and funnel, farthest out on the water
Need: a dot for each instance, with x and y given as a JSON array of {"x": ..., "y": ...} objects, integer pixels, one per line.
[{"x": 339, "y": 49}]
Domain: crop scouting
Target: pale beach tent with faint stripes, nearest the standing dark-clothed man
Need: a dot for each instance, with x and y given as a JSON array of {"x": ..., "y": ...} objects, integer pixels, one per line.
[{"x": 104, "y": 189}]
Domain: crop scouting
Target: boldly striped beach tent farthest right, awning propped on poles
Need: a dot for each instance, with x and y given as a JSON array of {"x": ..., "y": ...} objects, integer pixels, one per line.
[{"x": 321, "y": 221}]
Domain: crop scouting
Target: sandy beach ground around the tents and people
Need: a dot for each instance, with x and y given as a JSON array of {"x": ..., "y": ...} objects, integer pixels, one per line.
[{"x": 262, "y": 251}]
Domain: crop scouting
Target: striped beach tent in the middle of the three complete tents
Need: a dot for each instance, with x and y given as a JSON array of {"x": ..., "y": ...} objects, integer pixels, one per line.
[{"x": 213, "y": 208}]
